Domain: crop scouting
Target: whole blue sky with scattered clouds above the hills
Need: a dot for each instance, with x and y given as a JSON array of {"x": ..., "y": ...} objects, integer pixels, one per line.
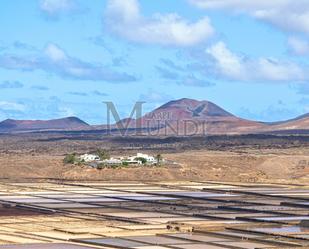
[{"x": 65, "y": 57}]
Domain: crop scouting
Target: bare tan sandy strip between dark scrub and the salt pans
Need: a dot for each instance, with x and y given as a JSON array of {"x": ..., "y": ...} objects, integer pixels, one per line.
[{"x": 289, "y": 165}]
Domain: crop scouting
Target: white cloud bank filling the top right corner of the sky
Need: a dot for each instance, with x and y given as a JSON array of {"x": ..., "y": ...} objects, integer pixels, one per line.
[{"x": 287, "y": 14}]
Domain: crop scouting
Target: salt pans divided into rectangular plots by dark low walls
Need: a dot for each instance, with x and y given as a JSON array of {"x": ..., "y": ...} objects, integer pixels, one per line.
[{"x": 204, "y": 214}]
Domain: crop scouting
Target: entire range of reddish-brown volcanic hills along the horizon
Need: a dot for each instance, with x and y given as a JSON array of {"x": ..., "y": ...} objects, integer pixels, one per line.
[{"x": 175, "y": 118}]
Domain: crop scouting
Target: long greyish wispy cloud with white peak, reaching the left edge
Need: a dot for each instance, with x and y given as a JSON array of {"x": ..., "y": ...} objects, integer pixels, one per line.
[{"x": 55, "y": 60}]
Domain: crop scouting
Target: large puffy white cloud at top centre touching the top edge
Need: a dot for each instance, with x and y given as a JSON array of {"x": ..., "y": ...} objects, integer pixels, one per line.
[{"x": 124, "y": 18}]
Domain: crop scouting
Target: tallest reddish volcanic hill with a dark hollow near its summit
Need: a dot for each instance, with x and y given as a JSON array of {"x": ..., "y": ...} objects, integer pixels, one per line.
[{"x": 188, "y": 116}]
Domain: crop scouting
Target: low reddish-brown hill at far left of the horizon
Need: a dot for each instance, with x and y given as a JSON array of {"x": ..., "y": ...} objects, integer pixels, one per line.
[{"x": 69, "y": 123}]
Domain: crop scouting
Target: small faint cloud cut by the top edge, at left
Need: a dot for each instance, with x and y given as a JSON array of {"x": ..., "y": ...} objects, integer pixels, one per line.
[{"x": 53, "y": 7}]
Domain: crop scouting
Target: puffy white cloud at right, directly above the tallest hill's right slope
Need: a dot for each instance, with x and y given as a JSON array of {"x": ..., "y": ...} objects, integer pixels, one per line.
[{"x": 236, "y": 67}]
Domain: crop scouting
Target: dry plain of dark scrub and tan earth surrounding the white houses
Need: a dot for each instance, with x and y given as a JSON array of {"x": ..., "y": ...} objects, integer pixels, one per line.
[{"x": 32, "y": 156}]
